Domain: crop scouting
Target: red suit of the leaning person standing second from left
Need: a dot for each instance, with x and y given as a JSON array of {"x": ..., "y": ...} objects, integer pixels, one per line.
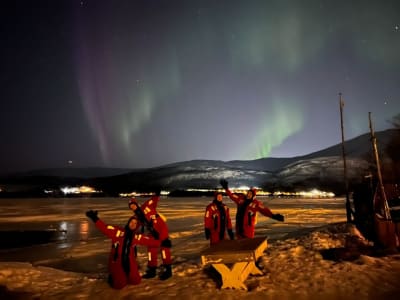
[{"x": 149, "y": 209}]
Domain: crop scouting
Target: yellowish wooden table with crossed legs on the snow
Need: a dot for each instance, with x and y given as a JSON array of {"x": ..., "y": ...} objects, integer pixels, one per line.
[{"x": 235, "y": 260}]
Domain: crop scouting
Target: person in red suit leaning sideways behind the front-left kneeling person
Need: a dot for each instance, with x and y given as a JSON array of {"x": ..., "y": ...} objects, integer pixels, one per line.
[{"x": 147, "y": 214}]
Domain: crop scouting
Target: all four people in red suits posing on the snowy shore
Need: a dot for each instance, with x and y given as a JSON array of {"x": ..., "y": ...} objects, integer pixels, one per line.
[{"x": 122, "y": 264}]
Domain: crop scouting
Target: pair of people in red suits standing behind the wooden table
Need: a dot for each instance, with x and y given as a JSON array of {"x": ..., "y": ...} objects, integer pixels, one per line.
[{"x": 217, "y": 221}]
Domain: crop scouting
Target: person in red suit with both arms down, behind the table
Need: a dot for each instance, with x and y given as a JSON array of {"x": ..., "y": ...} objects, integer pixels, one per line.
[{"x": 217, "y": 221}]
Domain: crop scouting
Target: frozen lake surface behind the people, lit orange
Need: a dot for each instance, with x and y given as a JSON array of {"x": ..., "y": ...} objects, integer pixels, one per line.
[{"x": 184, "y": 219}]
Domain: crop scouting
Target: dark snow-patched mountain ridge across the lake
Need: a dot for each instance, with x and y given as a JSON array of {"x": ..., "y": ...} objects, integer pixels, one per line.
[{"x": 322, "y": 169}]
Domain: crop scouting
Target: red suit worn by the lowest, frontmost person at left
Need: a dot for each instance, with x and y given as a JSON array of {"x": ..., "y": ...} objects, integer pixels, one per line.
[{"x": 123, "y": 273}]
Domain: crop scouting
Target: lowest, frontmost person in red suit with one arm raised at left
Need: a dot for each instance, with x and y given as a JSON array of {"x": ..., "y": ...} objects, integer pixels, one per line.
[{"x": 122, "y": 264}]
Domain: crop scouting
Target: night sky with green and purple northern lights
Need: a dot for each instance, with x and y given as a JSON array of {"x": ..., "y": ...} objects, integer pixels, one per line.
[{"x": 135, "y": 84}]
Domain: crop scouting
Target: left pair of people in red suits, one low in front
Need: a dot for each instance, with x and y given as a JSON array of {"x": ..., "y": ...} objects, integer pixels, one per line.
[{"x": 122, "y": 264}]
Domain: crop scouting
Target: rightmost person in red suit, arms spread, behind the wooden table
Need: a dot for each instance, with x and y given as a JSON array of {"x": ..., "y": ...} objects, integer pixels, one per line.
[{"x": 247, "y": 208}]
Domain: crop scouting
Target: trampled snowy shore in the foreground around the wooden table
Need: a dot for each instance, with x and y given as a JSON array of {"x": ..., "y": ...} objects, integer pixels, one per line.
[{"x": 293, "y": 268}]
